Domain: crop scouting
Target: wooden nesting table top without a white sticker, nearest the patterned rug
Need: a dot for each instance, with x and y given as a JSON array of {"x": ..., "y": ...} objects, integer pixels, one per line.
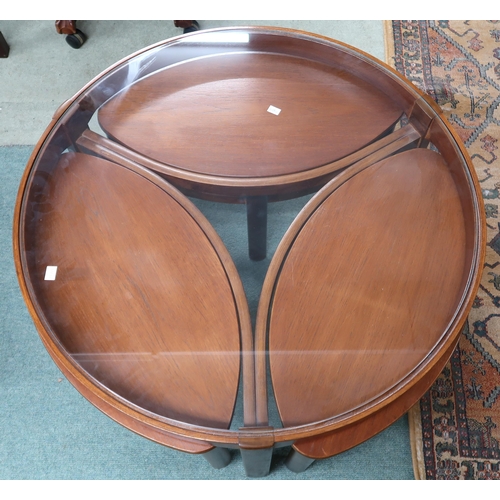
[{"x": 367, "y": 289}]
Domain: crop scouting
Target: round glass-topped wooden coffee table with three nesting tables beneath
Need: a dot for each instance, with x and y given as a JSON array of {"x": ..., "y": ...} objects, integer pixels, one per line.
[{"x": 138, "y": 301}]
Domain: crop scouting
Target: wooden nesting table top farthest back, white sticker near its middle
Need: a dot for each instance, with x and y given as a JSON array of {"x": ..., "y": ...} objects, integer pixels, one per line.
[{"x": 212, "y": 115}]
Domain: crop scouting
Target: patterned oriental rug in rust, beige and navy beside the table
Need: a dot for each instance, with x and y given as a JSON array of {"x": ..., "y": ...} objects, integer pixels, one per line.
[{"x": 455, "y": 428}]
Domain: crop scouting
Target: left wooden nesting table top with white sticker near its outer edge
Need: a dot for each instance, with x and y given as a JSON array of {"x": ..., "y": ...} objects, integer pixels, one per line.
[{"x": 144, "y": 312}]
